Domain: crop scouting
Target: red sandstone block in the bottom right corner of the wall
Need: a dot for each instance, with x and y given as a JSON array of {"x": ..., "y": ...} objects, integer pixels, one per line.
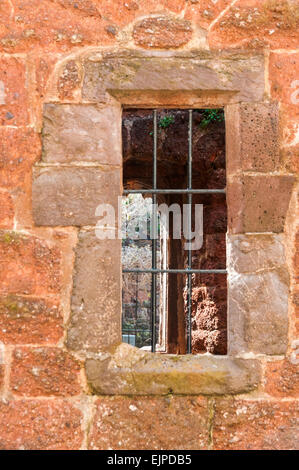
[{"x": 259, "y": 424}]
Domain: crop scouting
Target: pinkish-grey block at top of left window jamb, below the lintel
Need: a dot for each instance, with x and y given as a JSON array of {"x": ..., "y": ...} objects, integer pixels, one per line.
[{"x": 81, "y": 133}]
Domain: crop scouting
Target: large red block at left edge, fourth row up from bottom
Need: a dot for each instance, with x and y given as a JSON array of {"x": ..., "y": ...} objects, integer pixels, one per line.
[{"x": 28, "y": 265}]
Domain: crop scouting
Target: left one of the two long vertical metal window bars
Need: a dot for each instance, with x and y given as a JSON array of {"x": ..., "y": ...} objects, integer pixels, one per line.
[{"x": 154, "y": 240}]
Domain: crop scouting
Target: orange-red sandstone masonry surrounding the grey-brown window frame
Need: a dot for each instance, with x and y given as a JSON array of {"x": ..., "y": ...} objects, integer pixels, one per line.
[{"x": 46, "y": 402}]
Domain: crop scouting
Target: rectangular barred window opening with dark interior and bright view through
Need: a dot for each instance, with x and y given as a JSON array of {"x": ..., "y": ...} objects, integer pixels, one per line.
[{"x": 159, "y": 278}]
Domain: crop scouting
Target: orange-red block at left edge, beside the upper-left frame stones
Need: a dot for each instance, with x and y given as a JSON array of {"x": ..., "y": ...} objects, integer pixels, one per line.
[{"x": 19, "y": 149}]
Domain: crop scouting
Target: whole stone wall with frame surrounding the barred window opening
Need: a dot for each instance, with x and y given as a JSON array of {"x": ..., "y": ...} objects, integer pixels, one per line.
[{"x": 47, "y": 51}]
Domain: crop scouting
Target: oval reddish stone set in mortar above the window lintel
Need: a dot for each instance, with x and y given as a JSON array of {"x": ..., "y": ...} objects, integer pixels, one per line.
[{"x": 162, "y": 32}]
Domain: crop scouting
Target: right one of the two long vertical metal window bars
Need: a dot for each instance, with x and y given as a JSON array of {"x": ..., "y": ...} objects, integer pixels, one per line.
[{"x": 189, "y": 280}]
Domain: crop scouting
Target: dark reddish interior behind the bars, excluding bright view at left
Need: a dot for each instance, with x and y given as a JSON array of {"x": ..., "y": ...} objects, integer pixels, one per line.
[{"x": 209, "y": 291}]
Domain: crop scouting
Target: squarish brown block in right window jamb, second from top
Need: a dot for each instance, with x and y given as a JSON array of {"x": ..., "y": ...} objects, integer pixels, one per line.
[{"x": 259, "y": 203}]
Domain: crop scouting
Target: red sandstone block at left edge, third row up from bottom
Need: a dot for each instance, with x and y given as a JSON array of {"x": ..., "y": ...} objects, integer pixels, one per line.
[{"x": 27, "y": 320}]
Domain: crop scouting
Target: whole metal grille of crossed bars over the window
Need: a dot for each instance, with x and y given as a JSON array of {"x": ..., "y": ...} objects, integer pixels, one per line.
[{"x": 188, "y": 270}]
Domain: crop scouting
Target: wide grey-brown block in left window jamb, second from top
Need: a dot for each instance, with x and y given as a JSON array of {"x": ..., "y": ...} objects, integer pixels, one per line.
[{"x": 70, "y": 196}]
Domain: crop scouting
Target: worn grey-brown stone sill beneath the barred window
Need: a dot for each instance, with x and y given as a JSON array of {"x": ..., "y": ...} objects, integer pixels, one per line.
[{"x": 127, "y": 370}]
